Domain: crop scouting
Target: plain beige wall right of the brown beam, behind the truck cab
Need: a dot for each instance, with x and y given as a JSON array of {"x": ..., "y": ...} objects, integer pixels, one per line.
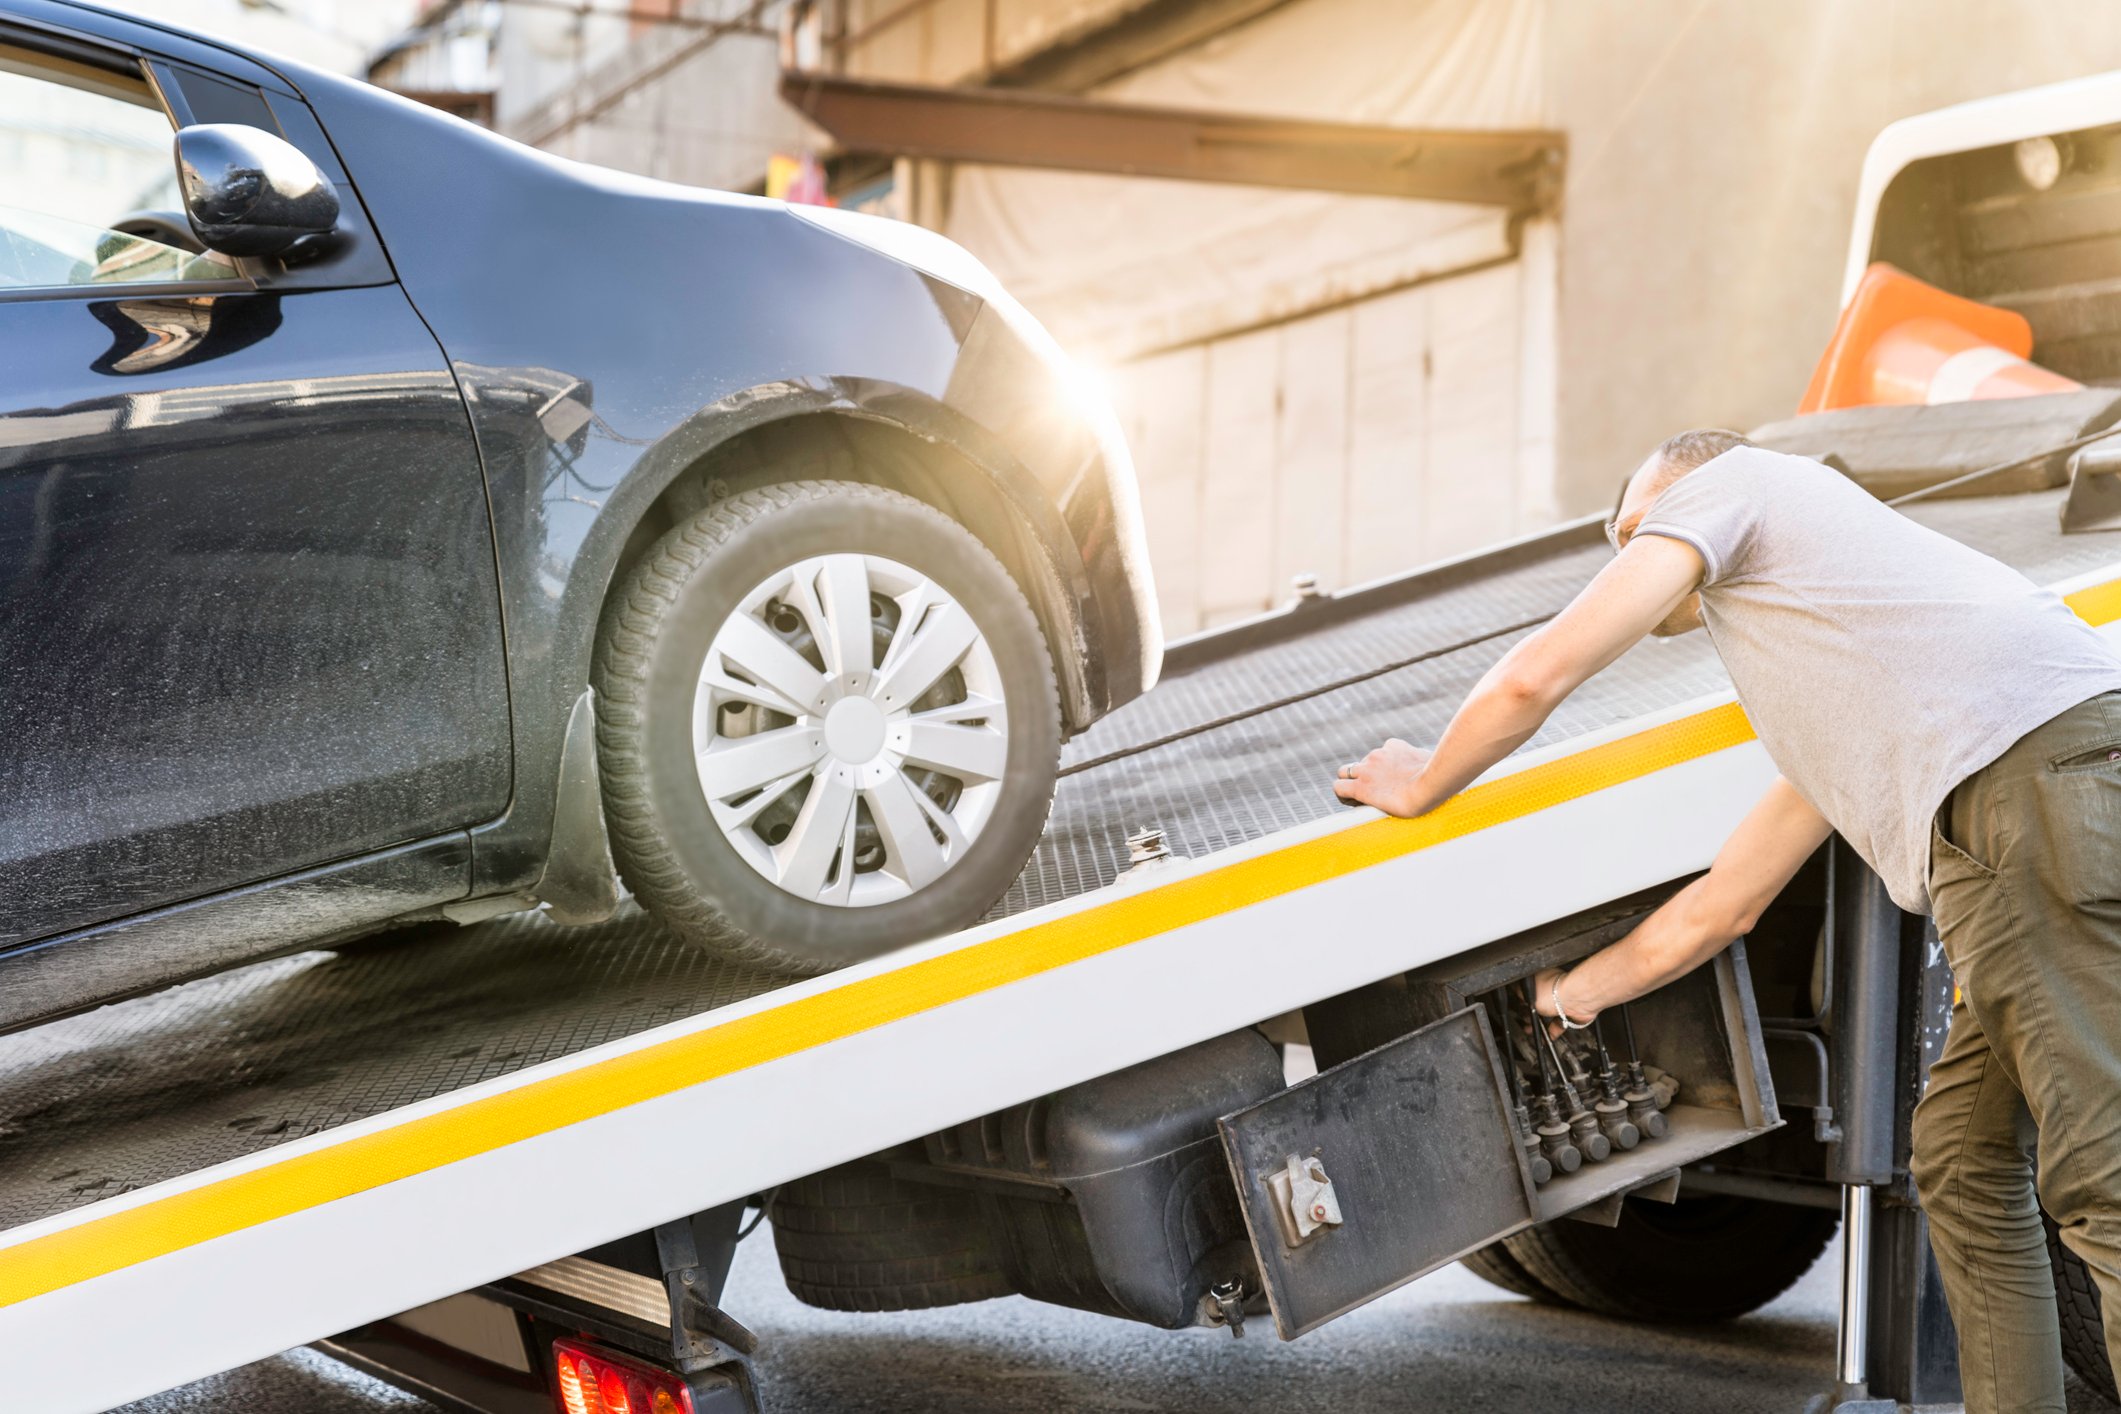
[{"x": 1715, "y": 149}]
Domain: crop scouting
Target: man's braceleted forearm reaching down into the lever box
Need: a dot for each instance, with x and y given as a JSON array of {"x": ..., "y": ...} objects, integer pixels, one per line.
[{"x": 1694, "y": 925}]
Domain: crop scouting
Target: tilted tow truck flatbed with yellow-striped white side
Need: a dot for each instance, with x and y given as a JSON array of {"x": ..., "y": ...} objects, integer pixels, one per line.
[{"x": 285, "y": 1152}]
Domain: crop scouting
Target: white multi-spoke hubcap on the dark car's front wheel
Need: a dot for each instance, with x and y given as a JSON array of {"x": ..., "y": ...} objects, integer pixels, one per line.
[{"x": 849, "y": 730}]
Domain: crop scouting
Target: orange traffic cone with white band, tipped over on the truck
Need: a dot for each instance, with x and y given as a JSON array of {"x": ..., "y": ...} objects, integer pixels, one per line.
[{"x": 1910, "y": 342}]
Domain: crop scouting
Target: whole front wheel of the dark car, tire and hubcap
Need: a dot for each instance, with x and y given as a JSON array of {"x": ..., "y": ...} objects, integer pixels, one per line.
[{"x": 697, "y": 593}]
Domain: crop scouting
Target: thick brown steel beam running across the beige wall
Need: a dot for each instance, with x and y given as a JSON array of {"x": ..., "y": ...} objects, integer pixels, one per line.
[{"x": 1513, "y": 169}]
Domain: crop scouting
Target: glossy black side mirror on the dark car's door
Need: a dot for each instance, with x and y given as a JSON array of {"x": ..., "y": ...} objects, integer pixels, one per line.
[{"x": 253, "y": 194}]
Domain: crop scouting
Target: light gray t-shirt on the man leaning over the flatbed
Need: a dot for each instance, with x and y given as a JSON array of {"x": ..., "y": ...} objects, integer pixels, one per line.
[{"x": 1880, "y": 662}]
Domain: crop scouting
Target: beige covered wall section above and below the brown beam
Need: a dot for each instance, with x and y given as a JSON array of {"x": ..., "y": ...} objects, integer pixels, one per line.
[{"x": 1314, "y": 385}]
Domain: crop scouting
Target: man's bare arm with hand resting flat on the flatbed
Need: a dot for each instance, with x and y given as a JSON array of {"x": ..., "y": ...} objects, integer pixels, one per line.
[{"x": 1615, "y": 612}]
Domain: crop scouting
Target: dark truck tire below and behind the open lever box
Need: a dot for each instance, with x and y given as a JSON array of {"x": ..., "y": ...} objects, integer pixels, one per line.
[{"x": 1683, "y": 1265}]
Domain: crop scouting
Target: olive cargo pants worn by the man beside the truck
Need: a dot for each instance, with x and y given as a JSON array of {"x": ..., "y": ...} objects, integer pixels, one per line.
[{"x": 2027, "y": 889}]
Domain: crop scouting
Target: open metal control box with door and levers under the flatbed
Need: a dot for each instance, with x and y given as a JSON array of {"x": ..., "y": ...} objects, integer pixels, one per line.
[{"x": 1407, "y": 1150}]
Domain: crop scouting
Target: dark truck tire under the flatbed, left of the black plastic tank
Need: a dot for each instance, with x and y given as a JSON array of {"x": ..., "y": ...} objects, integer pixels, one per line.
[{"x": 860, "y": 1239}]
